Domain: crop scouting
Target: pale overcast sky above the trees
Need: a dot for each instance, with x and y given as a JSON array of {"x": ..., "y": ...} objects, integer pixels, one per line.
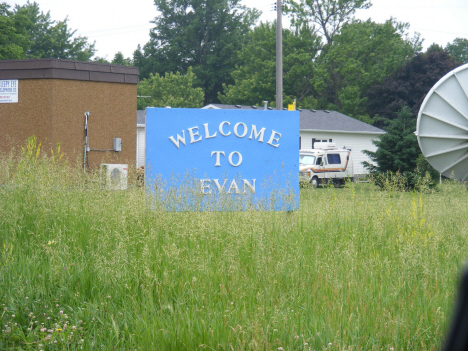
[{"x": 122, "y": 25}]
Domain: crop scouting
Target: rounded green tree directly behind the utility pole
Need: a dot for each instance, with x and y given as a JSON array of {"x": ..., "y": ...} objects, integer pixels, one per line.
[{"x": 255, "y": 76}]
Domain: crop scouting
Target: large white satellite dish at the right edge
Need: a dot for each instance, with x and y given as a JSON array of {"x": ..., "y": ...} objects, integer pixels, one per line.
[{"x": 442, "y": 127}]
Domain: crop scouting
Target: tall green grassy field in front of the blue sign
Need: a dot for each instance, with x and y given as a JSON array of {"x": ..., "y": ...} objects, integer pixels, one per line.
[{"x": 352, "y": 269}]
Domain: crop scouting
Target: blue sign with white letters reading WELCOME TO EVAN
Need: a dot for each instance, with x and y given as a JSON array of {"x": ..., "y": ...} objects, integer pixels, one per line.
[{"x": 199, "y": 159}]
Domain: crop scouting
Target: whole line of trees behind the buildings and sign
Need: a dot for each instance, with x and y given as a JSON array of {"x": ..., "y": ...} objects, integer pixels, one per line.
[{"x": 216, "y": 51}]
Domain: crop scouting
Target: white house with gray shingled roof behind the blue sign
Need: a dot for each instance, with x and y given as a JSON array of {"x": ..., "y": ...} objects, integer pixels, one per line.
[{"x": 329, "y": 126}]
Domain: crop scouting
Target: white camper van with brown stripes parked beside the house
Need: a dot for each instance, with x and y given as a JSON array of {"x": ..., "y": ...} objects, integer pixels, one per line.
[{"x": 325, "y": 163}]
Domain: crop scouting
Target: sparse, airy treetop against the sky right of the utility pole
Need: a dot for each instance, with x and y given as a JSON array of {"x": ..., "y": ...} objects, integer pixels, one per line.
[{"x": 328, "y": 15}]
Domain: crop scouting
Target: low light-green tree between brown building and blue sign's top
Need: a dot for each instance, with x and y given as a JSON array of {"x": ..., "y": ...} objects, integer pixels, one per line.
[{"x": 175, "y": 90}]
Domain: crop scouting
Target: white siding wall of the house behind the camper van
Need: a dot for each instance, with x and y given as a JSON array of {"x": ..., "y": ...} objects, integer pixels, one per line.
[{"x": 357, "y": 142}]
